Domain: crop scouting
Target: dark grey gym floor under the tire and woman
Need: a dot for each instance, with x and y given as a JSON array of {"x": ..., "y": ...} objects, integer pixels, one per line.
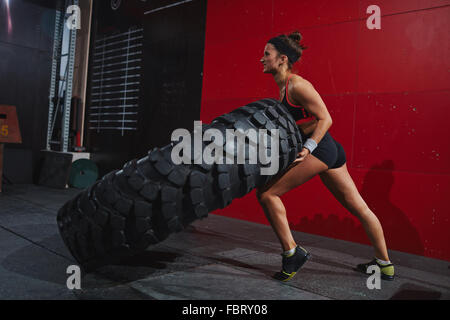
[{"x": 215, "y": 258}]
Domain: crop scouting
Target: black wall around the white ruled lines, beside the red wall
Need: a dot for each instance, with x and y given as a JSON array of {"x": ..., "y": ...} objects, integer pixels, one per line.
[{"x": 171, "y": 81}]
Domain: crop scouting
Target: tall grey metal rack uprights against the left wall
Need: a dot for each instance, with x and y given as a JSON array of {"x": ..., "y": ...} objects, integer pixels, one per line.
[{"x": 60, "y": 94}]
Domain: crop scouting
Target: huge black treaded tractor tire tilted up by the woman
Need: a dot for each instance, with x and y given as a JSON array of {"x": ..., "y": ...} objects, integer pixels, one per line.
[{"x": 150, "y": 198}]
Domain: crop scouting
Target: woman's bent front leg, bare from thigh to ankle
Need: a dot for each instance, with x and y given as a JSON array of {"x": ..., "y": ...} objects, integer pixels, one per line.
[{"x": 269, "y": 196}]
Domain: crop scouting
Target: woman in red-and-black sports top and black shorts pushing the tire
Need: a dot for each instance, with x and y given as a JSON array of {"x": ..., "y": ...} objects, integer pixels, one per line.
[{"x": 320, "y": 155}]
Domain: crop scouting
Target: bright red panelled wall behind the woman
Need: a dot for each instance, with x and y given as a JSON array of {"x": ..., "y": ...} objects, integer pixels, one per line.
[{"x": 388, "y": 92}]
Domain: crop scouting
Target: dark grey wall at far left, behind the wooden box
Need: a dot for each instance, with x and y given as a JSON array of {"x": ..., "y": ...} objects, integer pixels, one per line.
[{"x": 25, "y": 67}]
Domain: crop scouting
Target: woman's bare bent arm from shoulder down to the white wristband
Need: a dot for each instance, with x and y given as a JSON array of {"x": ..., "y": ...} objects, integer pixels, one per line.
[{"x": 304, "y": 94}]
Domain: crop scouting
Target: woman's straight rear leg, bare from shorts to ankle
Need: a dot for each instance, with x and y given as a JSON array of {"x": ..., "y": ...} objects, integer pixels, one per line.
[{"x": 341, "y": 185}]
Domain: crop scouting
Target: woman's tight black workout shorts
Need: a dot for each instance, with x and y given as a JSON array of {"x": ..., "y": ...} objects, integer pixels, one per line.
[{"x": 329, "y": 151}]
